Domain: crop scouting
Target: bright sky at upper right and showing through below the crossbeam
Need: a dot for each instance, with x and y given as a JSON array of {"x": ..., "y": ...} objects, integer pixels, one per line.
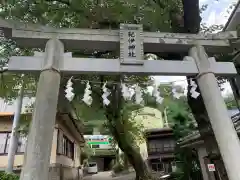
[{"x": 217, "y": 13}]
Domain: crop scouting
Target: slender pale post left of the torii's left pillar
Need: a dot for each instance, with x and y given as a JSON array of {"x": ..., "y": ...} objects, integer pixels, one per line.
[{"x": 14, "y": 135}]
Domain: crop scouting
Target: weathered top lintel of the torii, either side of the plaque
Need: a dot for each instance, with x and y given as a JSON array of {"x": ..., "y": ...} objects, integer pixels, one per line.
[{"x": 33, "y": 35}]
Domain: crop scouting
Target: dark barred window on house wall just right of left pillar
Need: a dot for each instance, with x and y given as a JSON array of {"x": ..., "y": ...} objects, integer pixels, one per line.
[{"x": 65, "y": 147}]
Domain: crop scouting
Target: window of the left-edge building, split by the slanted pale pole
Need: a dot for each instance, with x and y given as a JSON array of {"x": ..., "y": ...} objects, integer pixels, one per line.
[{"x": 5, "y": 141}]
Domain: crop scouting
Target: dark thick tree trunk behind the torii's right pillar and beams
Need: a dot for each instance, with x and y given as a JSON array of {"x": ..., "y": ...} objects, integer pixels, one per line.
[{"x": 192, "y": 25}]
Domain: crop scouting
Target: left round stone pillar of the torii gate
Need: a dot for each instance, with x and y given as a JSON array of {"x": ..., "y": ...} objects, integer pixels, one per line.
[{"x": 36, "y": 165}]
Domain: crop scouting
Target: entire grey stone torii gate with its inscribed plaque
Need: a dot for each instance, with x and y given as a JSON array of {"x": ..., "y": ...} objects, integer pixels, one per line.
[{"x": 133, "y": 42}]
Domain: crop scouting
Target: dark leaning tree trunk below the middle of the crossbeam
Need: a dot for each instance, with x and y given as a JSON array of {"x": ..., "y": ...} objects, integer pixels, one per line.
[{"x": 113, "y": 114}]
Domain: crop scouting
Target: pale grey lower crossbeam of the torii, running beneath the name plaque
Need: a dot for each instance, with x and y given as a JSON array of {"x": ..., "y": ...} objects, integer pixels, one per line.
[{"x": 72, "y": 65}]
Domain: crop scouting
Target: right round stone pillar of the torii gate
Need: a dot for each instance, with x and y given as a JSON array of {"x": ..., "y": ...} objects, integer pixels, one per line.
[{"x": 223, "y": 128}]
